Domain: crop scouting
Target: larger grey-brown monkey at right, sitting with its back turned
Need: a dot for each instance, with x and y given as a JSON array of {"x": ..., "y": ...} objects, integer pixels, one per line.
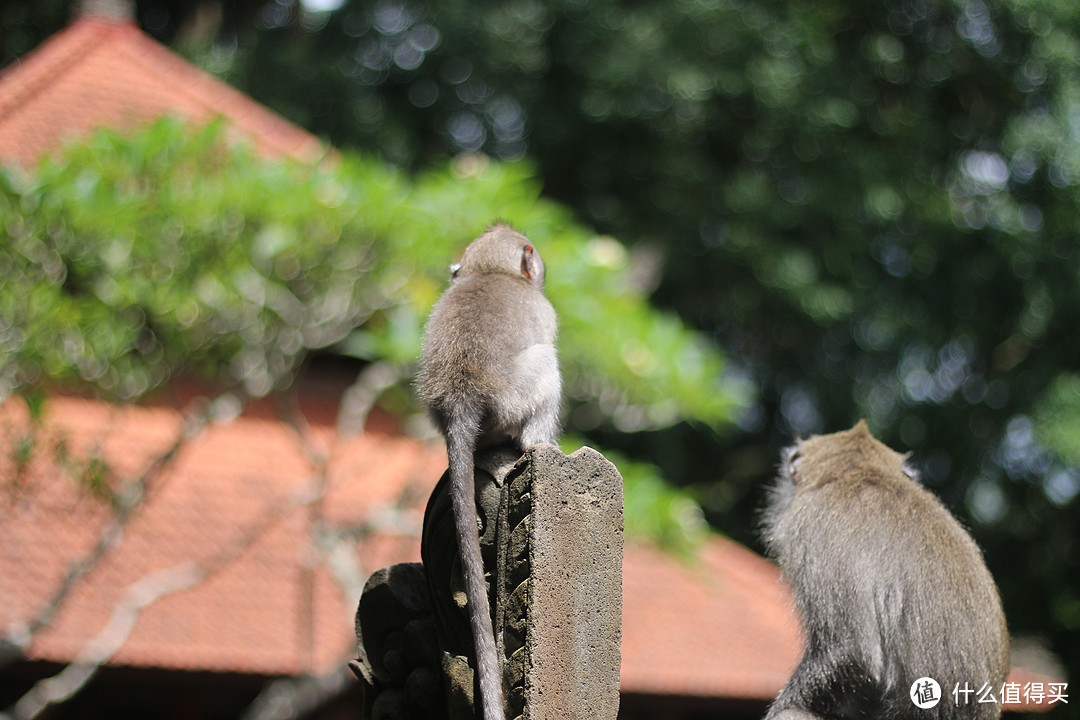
[{"x": 889, "y": 587}]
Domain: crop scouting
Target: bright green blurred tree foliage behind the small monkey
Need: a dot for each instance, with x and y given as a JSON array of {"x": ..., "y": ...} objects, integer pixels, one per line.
[{"x": 129, "y": 263}]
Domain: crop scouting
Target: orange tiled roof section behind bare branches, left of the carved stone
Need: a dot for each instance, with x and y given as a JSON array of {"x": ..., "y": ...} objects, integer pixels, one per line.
[{"x": 249, "y": 617}]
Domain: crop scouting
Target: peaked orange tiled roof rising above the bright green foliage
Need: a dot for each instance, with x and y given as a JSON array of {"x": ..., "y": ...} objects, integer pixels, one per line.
[{"x": 106, "y": 73}]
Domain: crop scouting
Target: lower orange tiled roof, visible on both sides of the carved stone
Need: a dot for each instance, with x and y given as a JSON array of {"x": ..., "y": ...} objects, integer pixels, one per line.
[{"x": 718, "y": 627}]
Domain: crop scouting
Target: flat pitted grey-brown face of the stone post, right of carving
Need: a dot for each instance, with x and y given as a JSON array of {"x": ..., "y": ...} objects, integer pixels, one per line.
[{"x": 575, "y": 610}]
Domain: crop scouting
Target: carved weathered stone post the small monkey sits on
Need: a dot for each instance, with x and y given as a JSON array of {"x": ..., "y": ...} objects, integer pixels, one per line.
[{"x": 552, "y": 542}]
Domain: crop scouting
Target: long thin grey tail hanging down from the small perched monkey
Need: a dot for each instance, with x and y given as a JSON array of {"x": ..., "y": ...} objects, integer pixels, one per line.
[{"x": 461, "y": 445}]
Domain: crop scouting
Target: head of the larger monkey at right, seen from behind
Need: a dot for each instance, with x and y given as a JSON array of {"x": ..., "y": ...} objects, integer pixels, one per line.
[{"x": 852, "y": 455}]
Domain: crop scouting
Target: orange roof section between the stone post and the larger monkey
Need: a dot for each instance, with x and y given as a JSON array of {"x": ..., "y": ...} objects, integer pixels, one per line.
[{"x": 720, "y": 626}]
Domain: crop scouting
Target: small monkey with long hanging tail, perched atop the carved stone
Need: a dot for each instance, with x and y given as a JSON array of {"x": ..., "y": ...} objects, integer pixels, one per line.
[{"x": 489, "y": 370}]
